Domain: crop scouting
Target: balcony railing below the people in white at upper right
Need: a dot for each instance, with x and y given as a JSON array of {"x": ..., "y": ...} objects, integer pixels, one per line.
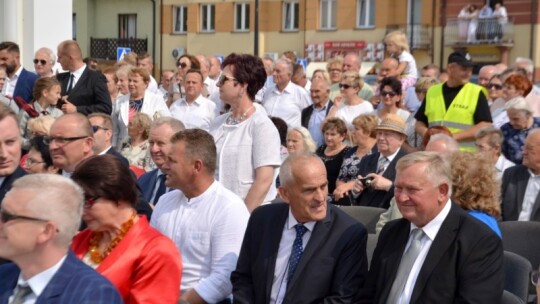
[{"x": 463, "y": 32}]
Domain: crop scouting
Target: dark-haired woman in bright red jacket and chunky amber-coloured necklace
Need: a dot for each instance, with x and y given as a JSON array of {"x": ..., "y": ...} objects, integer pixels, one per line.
[{"x": 143, "y": 264}]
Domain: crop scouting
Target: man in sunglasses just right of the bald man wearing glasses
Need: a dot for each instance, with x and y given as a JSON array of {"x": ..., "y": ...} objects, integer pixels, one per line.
[{"x": 102, "y": 127}]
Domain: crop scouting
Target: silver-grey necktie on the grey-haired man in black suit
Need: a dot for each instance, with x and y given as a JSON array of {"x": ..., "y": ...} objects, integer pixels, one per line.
[{"x": 405, "y": 266}]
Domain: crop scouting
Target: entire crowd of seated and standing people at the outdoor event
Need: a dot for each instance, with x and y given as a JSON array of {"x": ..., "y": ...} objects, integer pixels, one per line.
[{"x": 223, "y": 182}]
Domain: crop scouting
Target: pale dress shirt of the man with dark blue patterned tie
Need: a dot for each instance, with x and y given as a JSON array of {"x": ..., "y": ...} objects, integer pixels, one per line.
[{"x": 279, "y": 284}]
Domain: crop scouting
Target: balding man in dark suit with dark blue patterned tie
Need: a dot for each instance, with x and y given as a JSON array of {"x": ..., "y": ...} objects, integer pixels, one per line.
[{"x": 305, "y": 251}]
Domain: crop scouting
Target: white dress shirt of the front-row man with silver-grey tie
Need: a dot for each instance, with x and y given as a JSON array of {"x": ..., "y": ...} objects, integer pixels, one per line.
[{"x": 430, "y": 232}]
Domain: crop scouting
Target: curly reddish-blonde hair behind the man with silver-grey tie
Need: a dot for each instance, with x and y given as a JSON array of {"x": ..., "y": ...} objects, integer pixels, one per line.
[{"x": 475, "y": 186}]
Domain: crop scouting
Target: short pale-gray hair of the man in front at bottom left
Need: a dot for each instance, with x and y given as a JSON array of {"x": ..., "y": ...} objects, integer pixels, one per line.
[{"x": 63, "y": 204}]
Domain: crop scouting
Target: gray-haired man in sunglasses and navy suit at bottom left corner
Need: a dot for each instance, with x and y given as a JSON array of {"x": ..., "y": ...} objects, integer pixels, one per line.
[{"x": 36, "y": 237}]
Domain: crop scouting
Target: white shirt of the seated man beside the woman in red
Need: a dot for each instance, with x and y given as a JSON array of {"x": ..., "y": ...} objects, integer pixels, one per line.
[{"x": 208, "y": 231}]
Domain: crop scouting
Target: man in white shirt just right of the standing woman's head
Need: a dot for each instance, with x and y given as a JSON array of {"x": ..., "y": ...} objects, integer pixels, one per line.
[{"x": 285, "y": 100}]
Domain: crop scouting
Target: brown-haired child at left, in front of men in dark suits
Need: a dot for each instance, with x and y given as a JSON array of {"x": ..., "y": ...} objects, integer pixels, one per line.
[{"x": 46, "y": 94}]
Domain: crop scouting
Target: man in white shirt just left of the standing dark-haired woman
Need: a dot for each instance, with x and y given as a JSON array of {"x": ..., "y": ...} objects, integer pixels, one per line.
[{"x": 194, "y": 110}]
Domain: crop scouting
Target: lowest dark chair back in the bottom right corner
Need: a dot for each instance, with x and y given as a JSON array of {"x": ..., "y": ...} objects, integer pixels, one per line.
[{"x": 517, "y": 271}]
